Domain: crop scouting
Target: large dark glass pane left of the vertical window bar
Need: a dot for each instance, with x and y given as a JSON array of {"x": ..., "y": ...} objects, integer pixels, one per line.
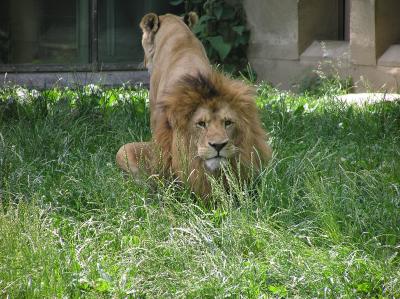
[{"x": 44, "y": 31}]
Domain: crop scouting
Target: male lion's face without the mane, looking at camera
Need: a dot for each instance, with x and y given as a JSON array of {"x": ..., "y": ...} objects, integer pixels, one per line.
[{"x": 214, "y": 130}]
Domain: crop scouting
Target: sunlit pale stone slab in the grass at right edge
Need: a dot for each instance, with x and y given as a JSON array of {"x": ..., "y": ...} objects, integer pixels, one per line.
[{"x": 368, "y": 98}]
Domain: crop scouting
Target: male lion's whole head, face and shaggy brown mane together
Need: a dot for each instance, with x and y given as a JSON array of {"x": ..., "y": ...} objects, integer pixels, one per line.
[{"x": 212, "y": 121}]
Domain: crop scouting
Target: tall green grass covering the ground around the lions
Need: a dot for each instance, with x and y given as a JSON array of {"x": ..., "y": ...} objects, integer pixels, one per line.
[{"x": 322, "y": 221}]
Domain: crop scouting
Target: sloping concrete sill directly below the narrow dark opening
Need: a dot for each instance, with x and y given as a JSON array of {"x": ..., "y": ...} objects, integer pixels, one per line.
[{"x": 321, "y": 50}]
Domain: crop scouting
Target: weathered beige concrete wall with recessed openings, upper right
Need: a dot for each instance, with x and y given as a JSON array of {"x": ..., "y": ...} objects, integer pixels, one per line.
[{"x": 284, "y": 45}]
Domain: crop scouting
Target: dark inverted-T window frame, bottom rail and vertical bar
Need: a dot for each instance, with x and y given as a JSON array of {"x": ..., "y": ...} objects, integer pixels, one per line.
[{"x": 94, "y": 64}]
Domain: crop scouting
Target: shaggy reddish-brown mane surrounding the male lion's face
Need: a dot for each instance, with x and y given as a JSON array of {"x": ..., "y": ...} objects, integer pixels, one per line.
[{"x": 179, "y": 104}]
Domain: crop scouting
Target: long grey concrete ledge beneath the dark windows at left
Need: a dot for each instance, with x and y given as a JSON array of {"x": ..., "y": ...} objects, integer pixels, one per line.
[{"x": 62, "y": 79}]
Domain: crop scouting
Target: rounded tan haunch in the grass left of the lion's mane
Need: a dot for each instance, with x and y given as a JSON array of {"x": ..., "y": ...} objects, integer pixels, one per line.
[{"x": 134, "y": 158}]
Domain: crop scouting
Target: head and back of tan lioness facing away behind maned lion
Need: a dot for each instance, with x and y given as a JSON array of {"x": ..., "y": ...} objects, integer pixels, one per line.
[{"x": 171, "y": 51}]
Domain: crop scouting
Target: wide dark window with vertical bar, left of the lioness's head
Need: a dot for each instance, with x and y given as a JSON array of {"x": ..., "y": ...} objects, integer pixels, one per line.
[{"x": 73, "y": 34}]
